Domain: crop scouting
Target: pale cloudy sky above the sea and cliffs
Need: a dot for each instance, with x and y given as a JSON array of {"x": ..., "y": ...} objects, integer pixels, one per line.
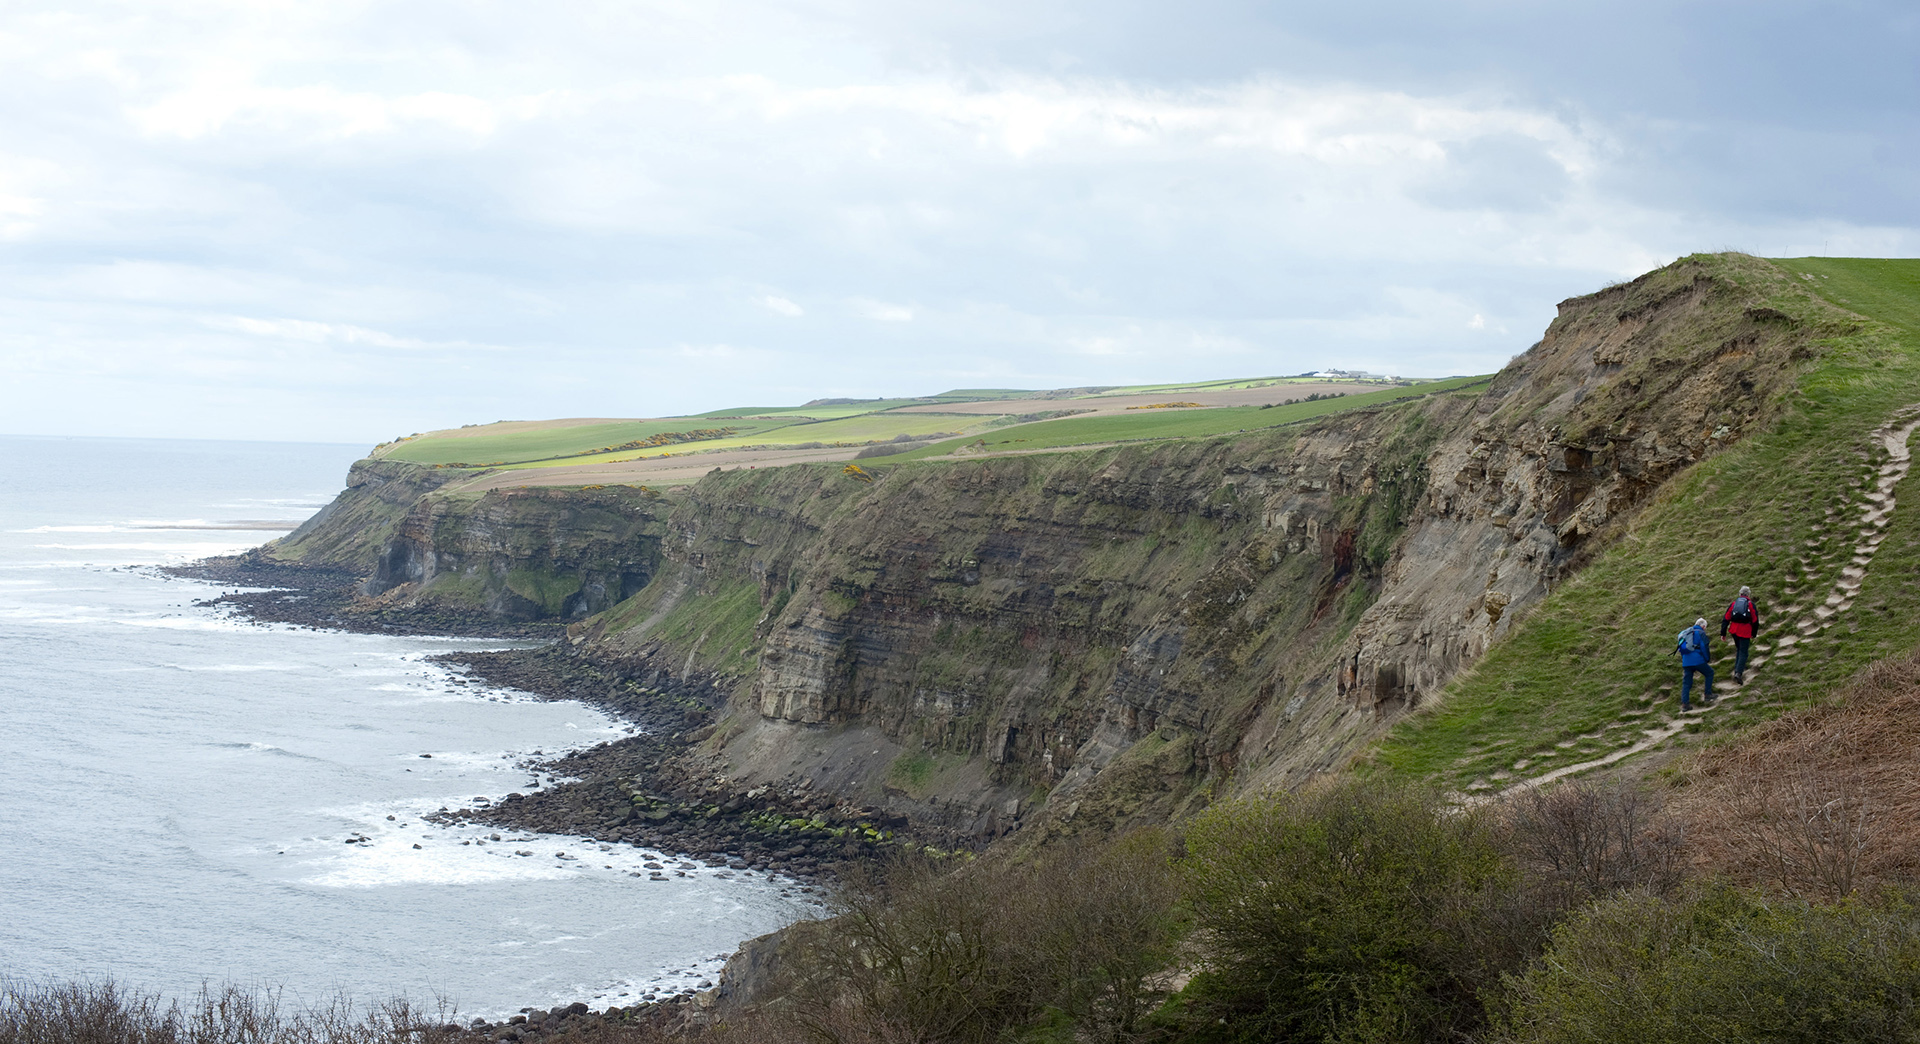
[{"x": 360, "y": 220}]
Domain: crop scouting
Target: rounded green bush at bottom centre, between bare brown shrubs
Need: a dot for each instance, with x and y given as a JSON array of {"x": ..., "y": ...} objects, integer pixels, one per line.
[{"x": 1337, "y": 914}]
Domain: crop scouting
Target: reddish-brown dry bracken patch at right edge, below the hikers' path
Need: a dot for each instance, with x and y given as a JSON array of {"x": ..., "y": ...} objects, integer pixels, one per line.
[{"x": 1821, "y": 801}]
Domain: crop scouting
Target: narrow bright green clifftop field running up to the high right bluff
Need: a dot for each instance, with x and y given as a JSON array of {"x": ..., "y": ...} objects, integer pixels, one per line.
[{"x": 1172, "y": 423}]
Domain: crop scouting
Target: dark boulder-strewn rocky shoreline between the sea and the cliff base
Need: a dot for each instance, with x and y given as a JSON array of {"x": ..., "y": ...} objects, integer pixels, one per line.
[{"x": 652, "y": 792}]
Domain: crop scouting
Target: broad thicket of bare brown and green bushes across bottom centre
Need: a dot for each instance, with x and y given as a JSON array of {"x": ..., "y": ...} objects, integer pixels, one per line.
[{"x": 1351, "y": 913}]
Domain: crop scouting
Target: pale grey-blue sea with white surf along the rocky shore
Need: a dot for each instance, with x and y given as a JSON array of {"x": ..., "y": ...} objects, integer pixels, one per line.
[{"x": 191, "y": 799}]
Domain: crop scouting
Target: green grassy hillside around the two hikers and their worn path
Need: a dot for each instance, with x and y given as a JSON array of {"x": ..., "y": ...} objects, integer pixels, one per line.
[{"x": 1591, "y": 669}]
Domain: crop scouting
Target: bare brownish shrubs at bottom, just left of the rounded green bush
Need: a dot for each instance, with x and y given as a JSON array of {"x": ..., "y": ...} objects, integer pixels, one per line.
[{"x": 928, "y": 953}]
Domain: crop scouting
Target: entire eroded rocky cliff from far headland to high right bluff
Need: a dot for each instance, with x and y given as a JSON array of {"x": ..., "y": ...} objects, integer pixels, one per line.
[{"x": 1078, "y": 640}]
